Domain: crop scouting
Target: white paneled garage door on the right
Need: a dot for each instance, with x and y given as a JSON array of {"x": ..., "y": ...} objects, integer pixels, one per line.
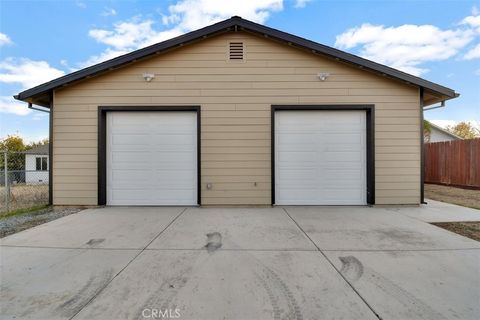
[{"x": 320, "y": 158}]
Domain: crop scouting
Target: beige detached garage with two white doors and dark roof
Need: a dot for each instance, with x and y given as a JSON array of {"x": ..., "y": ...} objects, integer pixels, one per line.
[{"x": 236, "y": 114}]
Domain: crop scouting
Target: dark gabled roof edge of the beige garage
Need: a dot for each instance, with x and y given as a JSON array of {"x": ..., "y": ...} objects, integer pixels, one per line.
[{"x": 232, "y": 24}]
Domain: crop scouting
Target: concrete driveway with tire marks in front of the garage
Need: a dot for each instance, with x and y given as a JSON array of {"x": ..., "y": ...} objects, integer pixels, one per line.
[{"x": 242, "y": 263}]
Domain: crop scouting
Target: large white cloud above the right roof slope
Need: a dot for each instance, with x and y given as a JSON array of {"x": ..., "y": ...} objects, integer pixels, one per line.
[{"x": 405, "y": 47}]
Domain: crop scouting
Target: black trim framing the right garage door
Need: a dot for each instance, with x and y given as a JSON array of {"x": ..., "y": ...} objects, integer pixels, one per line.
[{"x": 370, "y": 110}]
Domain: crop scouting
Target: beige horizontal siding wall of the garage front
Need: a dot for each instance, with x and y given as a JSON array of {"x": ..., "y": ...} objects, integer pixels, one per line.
[{"x": 235, "y": 101}]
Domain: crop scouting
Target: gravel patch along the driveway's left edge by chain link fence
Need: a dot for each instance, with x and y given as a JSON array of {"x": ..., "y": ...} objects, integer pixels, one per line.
[{"x": 25, "y": 221}]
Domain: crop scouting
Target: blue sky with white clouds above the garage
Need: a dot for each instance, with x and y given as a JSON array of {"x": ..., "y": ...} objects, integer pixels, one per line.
[{"x": 40, "y": 40}]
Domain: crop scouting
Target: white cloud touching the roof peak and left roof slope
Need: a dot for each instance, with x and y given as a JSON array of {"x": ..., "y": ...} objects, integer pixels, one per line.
[{"x": 182, "y": 17}]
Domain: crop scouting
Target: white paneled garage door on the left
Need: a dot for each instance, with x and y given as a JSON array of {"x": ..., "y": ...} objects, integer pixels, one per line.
[{"x": 151, "y": 158}]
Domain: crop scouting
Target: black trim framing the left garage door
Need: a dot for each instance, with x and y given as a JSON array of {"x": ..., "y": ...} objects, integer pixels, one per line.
[{"x": 102, "y": 142}]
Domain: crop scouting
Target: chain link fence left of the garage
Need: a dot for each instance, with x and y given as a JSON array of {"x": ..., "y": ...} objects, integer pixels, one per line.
[{"x": 23, "y": 179}]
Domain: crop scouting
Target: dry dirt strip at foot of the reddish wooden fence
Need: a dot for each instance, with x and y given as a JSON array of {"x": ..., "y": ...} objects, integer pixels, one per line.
[{"x": 462, "y": 197}]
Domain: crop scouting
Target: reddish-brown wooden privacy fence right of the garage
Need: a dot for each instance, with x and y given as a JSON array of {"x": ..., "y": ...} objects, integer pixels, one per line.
[{"x": 455, "y": 163}]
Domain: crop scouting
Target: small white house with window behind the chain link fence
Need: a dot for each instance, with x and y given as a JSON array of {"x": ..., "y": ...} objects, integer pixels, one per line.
[{"x": 36, "y": 165}]
